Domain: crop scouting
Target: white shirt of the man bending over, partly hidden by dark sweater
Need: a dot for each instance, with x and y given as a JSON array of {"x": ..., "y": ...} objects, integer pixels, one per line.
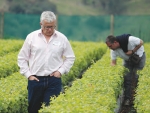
[{"x": 132, "y": 43}]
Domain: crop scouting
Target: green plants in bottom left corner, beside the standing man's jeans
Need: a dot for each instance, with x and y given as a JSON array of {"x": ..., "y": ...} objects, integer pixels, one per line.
[{"x": 13, "y": 94}]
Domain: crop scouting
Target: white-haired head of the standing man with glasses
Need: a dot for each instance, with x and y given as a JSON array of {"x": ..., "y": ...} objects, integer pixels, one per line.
[{"x": 48, "y": 23}]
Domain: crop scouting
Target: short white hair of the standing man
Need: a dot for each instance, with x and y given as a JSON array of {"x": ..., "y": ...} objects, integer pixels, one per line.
[{"x": 48, "y": 16}]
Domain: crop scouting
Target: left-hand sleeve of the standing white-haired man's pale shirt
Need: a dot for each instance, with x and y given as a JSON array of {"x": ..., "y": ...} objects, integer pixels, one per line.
[{"x": 23, "y": 58}]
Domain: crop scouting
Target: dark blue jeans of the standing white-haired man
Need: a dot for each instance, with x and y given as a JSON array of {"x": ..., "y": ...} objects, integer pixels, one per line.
[{"x": 39, "y": 92}]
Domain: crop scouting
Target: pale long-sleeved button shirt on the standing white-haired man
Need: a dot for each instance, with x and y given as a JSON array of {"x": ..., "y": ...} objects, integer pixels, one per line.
[{"x": 41, "y": 58}]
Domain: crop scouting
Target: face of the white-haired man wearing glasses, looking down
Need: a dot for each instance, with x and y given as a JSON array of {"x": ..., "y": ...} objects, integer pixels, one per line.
[{"x": 48, "y": 27}]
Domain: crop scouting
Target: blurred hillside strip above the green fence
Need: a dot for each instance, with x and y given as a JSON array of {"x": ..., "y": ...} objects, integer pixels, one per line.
[{"x": 78, "y": 7}]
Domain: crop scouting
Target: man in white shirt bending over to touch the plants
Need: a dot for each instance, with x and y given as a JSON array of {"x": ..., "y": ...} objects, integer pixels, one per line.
[{"x": 124, "y": 46}]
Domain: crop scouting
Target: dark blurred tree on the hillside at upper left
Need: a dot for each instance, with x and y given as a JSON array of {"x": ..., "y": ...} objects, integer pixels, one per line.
[{"x": 31, "y": 6}]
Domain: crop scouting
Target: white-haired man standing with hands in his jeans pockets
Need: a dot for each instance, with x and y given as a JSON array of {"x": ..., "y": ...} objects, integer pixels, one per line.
[{"x": 44, "y": 57}]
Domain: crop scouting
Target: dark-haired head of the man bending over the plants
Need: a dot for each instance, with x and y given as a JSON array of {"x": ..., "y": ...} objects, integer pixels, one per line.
[{"x": 112, "y": 42}]
